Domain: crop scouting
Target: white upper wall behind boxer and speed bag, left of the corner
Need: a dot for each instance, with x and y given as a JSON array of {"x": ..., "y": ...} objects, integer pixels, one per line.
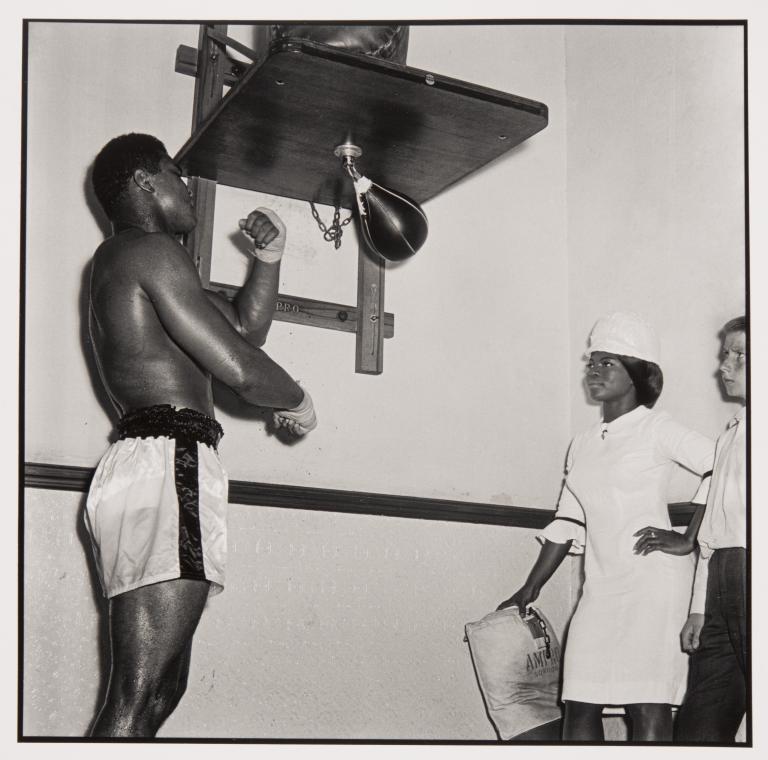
[{"x": 460, "y": 306}]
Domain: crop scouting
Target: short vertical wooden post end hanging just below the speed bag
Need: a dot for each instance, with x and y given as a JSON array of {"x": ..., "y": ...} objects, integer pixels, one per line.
[{"x": 369, "y": 356}]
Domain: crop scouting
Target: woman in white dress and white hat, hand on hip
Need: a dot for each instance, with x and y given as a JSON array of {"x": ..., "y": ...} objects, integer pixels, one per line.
[{"x": 622, "y": 646}]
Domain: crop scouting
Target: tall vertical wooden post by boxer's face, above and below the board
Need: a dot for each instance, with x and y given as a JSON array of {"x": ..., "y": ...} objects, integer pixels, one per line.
[{"x": 212, "y": 64}]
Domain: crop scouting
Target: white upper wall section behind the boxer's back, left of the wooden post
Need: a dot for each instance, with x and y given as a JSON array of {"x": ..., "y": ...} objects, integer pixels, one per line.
[{"x": 84, "y": 89}]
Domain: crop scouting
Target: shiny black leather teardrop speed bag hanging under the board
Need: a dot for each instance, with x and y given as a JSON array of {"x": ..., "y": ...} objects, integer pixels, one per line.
[{"x": 393, "y": 225}]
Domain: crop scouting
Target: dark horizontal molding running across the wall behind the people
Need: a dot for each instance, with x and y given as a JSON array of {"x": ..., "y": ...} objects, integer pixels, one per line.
[{"x": 71, "y": 478}]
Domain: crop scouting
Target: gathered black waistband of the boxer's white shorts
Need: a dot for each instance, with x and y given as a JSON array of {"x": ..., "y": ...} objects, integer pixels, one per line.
[{"x": 187, "y": 425}]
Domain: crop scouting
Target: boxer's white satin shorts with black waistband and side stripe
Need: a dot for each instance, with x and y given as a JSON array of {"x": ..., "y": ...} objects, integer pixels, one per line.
[{"x": 156, "y": 508}]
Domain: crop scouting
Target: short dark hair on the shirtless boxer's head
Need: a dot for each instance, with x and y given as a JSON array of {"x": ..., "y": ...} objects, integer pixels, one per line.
[{"x": 116, "y": 163}]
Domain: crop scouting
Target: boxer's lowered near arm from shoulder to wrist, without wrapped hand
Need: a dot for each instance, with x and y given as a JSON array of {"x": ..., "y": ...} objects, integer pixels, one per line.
[{"x": 166, "y": 273}]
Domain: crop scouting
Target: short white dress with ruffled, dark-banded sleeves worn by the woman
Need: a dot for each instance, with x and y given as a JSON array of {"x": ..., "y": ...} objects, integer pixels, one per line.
[{"x": 623, "y": 645}]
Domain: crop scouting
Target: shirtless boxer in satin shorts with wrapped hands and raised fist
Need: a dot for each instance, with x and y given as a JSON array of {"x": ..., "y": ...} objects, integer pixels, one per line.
[{"x": 156, "y": 510}]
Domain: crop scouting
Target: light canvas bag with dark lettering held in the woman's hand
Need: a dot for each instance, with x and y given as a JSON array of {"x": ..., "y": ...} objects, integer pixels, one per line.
[{"x": 517, "y": 664}]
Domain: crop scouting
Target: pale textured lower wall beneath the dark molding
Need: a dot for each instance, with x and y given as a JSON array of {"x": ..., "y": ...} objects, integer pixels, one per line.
[{"x": 331, "y": 626}]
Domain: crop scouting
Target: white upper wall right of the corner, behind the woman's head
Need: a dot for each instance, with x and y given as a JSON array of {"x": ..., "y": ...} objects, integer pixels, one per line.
[{"x": 656, "y": 199}]
